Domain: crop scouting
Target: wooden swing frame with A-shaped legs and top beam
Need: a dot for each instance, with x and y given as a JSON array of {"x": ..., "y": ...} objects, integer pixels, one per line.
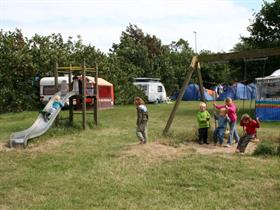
[{"x": 195, "y": 66}]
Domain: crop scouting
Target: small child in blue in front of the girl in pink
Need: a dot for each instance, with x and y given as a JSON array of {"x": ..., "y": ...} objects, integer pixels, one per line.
[{"x": 219, "y": 132}]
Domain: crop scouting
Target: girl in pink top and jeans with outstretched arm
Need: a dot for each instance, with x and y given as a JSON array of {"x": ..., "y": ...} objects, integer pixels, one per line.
[{"x": 231, "y": 111}]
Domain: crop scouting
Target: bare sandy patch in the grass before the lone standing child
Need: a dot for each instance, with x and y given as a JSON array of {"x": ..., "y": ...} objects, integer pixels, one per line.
[{"x": 153, "y": 151}]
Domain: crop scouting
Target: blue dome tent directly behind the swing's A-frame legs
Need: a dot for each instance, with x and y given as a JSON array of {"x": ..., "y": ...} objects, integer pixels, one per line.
[{"x": 192, "y": 93}]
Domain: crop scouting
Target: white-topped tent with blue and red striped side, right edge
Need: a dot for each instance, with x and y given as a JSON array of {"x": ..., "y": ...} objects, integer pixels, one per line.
[{"x": 268, "y": 97}]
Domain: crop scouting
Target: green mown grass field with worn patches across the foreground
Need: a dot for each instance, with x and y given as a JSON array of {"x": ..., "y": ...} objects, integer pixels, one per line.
[{"x": 105, "y": 168}]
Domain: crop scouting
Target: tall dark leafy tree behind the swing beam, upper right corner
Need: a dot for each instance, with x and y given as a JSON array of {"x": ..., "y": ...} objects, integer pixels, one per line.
[{"x": 264, "y": 33}]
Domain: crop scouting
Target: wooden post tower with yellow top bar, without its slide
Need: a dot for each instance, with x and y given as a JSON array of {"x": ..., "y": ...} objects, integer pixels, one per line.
[{"x": 75, "y": 71}]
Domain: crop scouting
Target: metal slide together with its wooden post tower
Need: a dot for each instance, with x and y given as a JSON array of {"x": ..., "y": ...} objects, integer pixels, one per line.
[{"x": 65, "y": 93}]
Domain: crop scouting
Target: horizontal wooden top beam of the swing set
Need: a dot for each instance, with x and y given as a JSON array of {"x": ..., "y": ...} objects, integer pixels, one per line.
[{"x": 258, "y": 53}]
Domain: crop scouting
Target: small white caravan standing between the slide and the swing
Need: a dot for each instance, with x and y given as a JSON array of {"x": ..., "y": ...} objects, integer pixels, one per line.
[{"x": 153, "y": 89}]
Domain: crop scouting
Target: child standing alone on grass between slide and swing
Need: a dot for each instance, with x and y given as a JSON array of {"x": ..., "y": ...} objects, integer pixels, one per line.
[{"x": 142, "y": 120}]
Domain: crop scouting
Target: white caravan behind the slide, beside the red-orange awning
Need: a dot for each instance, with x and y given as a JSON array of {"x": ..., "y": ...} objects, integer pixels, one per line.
[{"x": 47, "y": 87}]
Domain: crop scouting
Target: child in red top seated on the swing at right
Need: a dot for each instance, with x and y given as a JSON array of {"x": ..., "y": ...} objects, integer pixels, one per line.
[{"x": 250, "y": 132}]
